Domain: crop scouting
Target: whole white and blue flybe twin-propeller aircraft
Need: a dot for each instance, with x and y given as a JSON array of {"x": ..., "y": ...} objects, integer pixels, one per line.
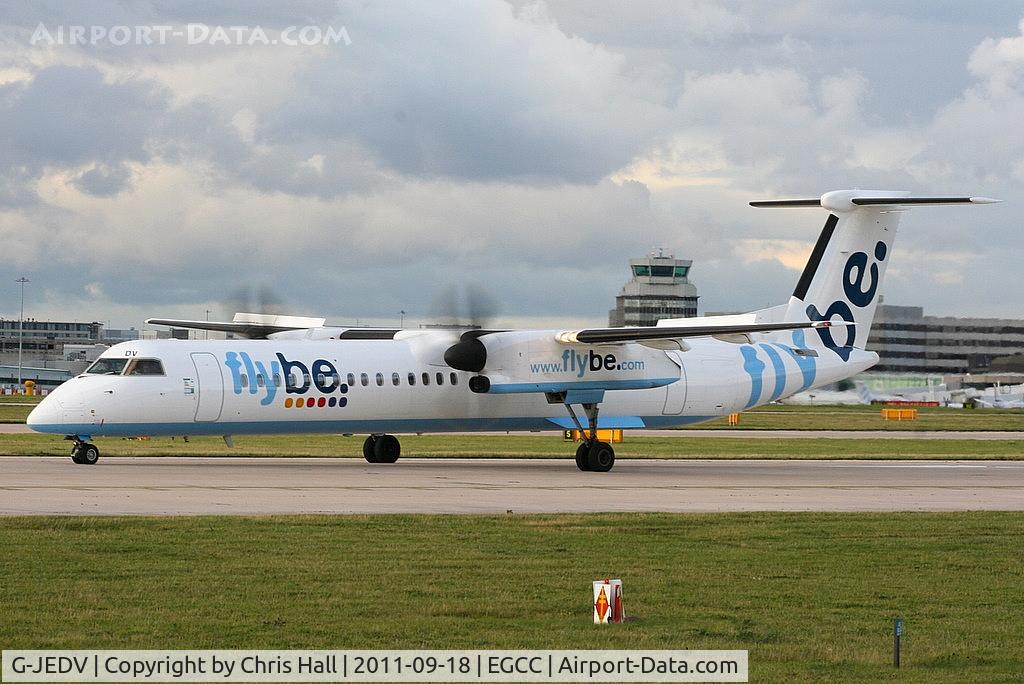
[{"x": 292, "y": 375}]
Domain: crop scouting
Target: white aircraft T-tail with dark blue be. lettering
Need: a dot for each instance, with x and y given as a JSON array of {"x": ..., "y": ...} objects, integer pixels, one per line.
[{"x": 846, "y": 268}]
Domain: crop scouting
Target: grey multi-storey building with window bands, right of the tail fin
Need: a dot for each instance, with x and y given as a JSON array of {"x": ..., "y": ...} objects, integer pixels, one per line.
[{"x": 909, "y": 341}]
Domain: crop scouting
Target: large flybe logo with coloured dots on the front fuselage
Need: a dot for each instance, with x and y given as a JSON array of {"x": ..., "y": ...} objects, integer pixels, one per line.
[{"x": 254, "y": 377}]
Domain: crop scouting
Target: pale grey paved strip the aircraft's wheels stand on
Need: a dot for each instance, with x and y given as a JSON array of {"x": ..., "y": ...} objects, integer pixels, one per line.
[{"x": 36, "y": 486}]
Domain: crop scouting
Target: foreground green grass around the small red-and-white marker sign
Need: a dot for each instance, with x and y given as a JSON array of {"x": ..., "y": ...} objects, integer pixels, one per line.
[{"x": 812, "y": 596}]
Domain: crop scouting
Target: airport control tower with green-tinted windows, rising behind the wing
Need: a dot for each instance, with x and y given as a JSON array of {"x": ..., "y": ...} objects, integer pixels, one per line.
[{"x": 660, "y": 289}]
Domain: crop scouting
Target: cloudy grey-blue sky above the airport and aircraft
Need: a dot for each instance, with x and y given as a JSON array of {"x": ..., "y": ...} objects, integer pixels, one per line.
[{"x": 528, "y": 148}]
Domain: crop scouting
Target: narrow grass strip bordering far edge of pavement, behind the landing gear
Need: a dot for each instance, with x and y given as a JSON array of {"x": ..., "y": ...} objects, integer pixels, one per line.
[{"x": 534, "y": 447}]
